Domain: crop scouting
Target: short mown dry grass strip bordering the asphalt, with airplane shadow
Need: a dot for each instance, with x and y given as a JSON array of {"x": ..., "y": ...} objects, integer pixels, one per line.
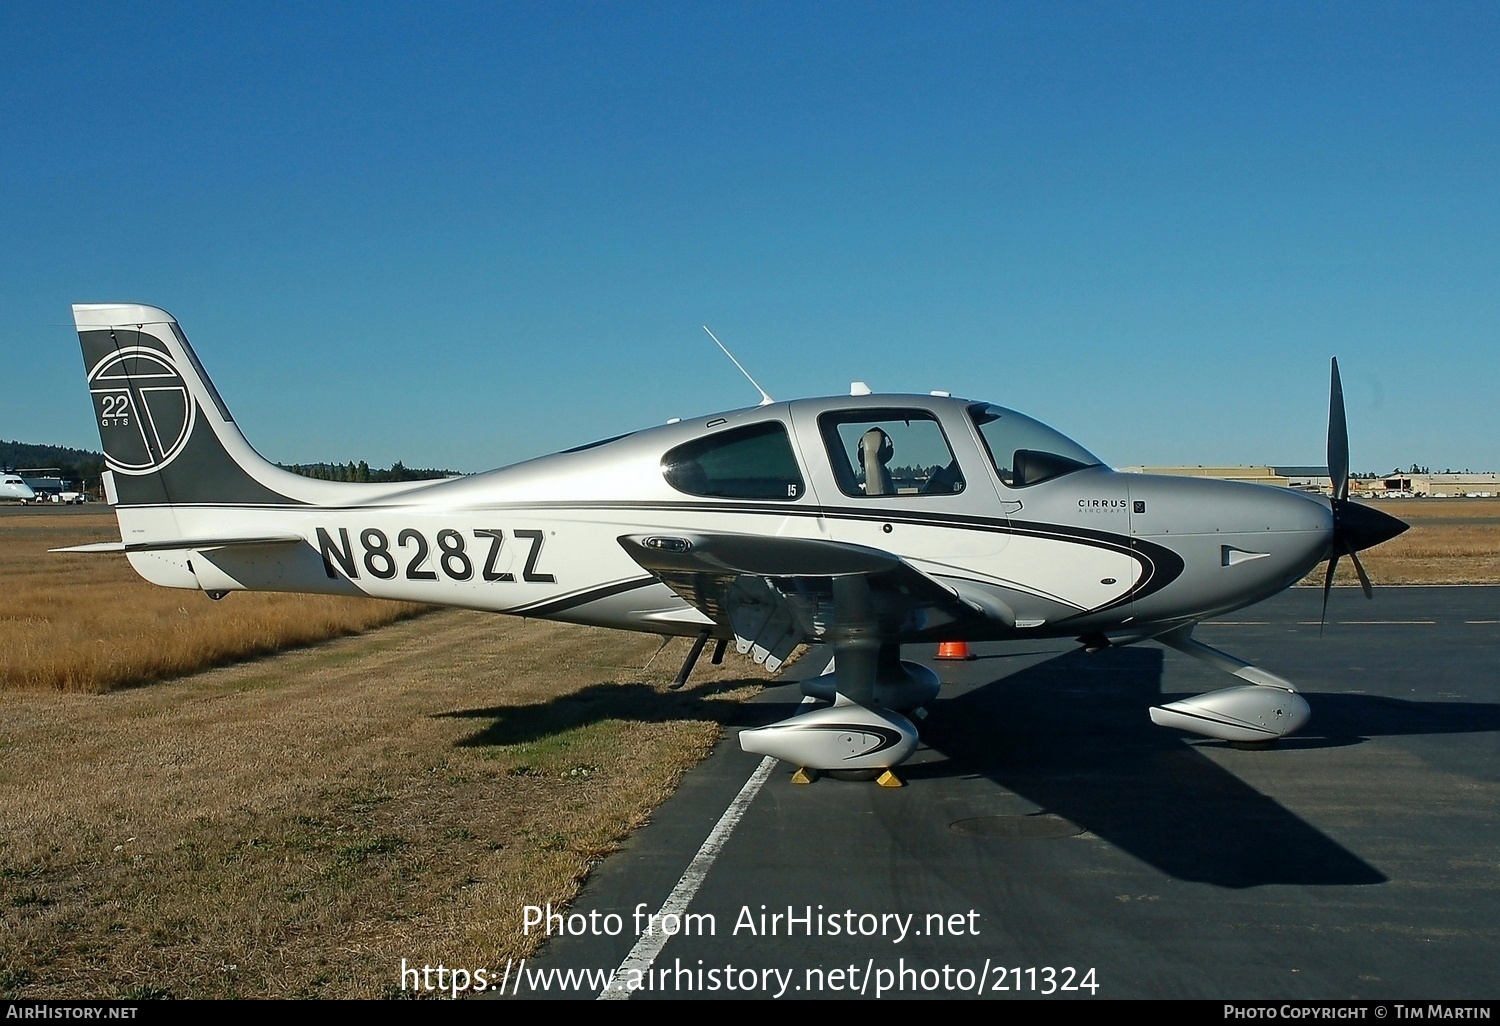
[{"x": 298, "y": 826}]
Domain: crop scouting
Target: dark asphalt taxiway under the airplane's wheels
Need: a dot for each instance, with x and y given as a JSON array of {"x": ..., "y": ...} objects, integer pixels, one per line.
[{"x": 1048, "y": 826}]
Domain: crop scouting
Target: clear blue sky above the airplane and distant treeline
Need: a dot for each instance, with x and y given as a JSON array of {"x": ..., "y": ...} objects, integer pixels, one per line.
[{"x": 467, "y": 235}]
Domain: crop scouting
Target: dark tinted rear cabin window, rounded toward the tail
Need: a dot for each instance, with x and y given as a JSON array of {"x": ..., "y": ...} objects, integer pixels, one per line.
[{"x": 754, "y": 463}]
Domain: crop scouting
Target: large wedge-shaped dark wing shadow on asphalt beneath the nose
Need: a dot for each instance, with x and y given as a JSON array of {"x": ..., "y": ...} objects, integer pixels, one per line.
[{"x": 1073, "y": 736}]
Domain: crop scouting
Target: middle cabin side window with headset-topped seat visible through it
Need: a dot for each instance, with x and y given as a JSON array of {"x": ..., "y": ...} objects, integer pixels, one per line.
[{"x": 890, "y": 452}]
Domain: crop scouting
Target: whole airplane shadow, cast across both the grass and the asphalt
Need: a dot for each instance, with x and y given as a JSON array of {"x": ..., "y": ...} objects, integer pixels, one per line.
[{"x": 1073, "y": 736}]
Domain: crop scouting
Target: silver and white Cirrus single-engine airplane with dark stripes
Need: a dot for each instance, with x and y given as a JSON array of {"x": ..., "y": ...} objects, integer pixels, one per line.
[{"x": 862, "y": 523}]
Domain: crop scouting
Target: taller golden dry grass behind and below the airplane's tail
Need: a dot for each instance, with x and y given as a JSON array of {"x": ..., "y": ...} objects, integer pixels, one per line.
[{"x": 86, "y": 623}]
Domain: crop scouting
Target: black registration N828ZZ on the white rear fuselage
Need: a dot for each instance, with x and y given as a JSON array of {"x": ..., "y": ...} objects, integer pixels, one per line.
[{"x": 385, "y": 562}]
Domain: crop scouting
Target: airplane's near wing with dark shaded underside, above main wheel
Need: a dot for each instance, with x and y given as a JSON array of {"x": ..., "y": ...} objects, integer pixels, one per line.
[{"x": 776, "y": 593}]
